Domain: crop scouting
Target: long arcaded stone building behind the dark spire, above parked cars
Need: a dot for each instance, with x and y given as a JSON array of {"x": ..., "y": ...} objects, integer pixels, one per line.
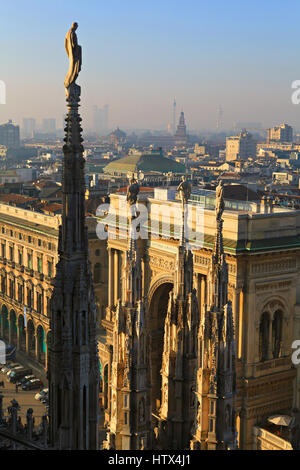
[{"x": 28, "y": 258}]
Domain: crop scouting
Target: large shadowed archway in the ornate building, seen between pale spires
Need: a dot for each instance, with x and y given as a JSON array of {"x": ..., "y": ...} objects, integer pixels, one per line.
[{"x": 157, "y": 312}]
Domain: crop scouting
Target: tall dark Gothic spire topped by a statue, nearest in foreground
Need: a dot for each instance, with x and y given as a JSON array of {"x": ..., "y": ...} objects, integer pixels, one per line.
[{"x": 73, "y": 371}]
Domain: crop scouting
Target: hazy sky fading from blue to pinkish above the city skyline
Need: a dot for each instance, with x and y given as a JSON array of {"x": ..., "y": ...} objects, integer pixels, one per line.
[{"x": 138, "y": 55}]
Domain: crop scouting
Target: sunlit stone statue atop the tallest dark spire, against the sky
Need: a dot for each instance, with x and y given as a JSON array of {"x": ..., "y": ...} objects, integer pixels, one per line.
[{"x": 74, "y": 54}]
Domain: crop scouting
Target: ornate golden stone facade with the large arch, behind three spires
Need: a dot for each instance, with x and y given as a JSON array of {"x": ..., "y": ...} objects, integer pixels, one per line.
[{"x": 262, "y": 255}]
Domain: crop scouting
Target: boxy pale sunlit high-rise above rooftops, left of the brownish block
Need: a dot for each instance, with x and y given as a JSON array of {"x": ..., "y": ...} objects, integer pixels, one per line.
[{"x": 241, "y": 147}]
